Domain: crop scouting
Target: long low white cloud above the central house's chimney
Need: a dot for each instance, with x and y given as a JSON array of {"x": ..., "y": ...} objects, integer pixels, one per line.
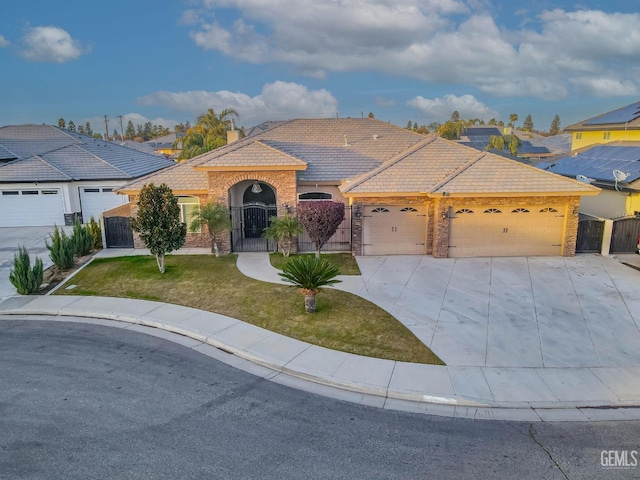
[{"x": 277, "y": 101}]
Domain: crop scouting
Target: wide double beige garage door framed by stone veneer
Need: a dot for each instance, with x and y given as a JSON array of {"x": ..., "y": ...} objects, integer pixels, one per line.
[{"x": 501, "y": 231}]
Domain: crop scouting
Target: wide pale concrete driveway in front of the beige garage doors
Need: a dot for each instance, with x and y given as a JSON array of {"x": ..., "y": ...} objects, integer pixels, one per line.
[{"x": 513, "y": 312}]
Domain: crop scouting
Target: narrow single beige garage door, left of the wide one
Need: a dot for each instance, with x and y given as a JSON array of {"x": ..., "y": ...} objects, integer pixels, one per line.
[{"x": 394, "y": 230}]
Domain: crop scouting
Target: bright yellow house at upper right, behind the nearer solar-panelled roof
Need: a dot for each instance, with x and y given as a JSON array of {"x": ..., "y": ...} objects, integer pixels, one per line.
[{"x": 622, "y": 124}]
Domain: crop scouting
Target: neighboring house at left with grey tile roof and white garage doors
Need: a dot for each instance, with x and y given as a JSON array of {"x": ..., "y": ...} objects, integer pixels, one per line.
[{"x": 49, "y": 175}]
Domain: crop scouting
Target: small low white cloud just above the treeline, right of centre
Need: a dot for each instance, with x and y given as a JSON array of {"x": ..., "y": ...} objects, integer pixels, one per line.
[{"x": 440, "y": 109}]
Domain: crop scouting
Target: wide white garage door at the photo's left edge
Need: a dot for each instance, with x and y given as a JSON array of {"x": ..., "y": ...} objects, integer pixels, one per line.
[{"x": 32, "y": 207}]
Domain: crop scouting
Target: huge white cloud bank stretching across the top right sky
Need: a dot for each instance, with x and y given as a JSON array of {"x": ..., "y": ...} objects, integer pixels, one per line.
[{"x": 438, "y": 41}]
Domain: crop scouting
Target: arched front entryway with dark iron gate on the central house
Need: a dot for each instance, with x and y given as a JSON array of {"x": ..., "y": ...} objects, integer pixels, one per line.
[{"x": 253, "y": 204}]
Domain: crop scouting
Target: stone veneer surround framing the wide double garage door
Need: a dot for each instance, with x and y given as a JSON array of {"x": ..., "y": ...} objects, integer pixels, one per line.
[{"x": 441, "y": 226}]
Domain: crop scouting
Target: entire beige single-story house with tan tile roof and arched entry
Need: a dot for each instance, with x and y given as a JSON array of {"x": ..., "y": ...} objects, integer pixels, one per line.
[{"x": 409, "y": 194}]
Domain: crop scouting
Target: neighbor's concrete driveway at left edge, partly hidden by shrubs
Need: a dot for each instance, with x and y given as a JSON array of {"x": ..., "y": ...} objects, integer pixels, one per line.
[{"x": 33, "y": 238}]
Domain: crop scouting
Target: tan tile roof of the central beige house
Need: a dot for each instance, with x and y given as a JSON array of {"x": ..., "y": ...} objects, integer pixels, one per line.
[{"x": 377, "y": 157}]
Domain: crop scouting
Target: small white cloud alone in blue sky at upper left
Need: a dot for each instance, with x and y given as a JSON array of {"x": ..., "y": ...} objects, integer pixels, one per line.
[{"x": 51, "y": 44}]
